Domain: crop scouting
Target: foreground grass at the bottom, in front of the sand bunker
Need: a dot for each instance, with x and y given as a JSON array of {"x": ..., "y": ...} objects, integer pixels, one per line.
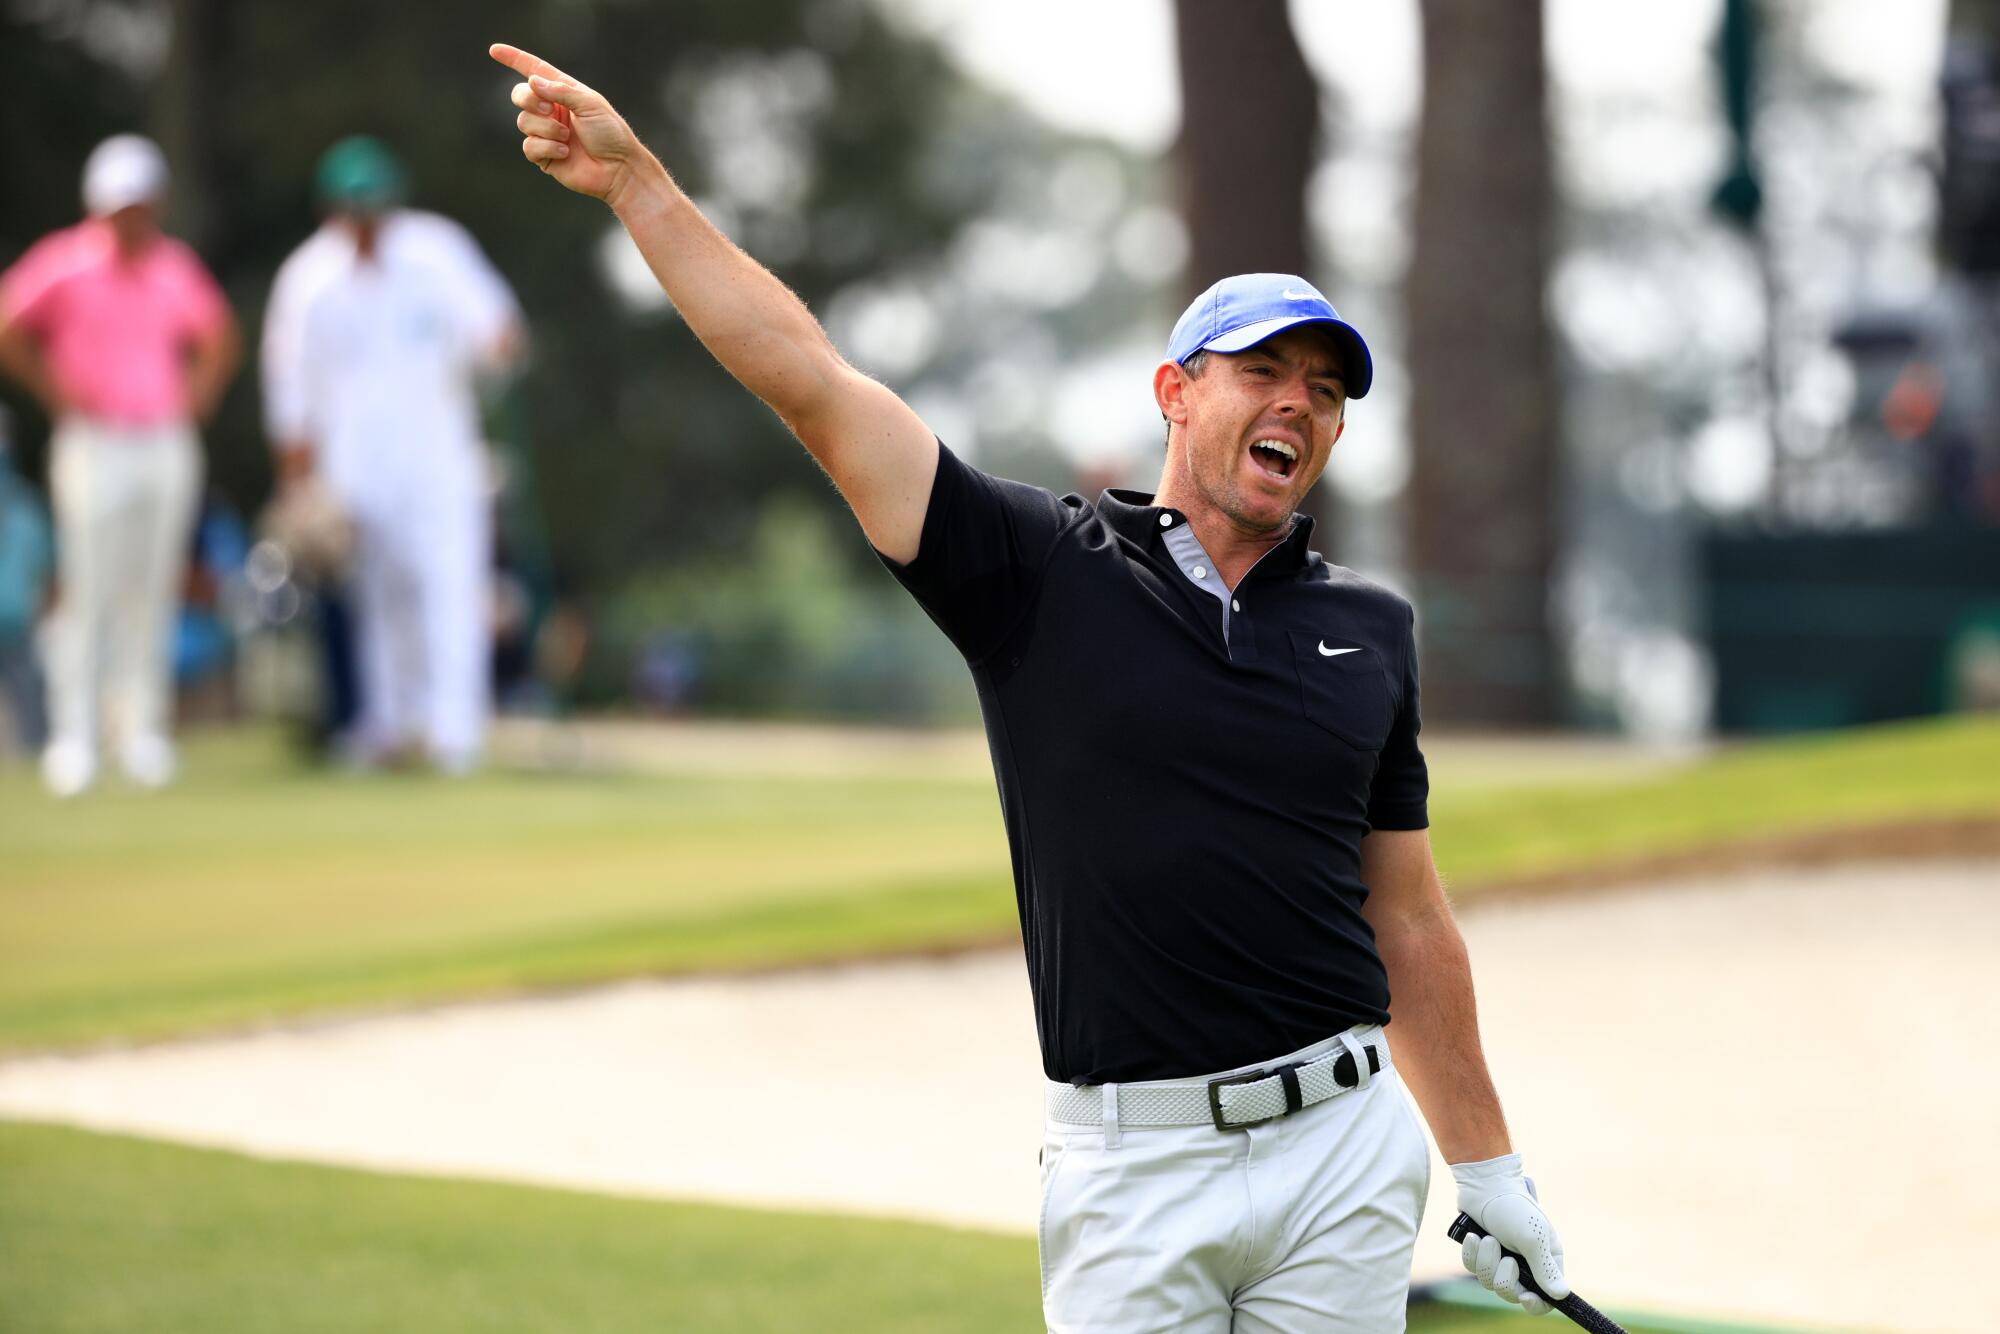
[{"x": 105, "y": 1235}]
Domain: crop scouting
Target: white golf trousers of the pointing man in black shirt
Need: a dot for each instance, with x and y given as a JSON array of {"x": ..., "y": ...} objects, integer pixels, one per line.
[{"x": 1297, "y": 1227}]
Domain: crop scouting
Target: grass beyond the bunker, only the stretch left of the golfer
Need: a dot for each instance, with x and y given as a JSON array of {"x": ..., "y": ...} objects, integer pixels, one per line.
[{"x": 263, "y": 889}]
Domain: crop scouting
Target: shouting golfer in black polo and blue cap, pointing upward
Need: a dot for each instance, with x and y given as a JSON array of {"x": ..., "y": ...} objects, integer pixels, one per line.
[{"x": 1205, "y": 741}]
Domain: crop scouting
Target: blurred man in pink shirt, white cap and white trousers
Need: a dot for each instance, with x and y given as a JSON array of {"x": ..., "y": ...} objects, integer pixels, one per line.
[{"x": 129, "y": 343}]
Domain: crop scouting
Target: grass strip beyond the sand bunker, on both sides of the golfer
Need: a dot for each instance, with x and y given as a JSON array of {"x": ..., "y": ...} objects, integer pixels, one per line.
[{"x": 263, "y": 889}]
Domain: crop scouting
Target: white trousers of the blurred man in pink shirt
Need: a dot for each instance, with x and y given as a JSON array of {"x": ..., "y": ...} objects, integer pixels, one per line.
[{"x": 125, "y": 505}]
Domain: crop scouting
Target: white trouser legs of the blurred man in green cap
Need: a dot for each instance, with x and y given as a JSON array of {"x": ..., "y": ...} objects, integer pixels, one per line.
[{"x": 423, "y": 607}]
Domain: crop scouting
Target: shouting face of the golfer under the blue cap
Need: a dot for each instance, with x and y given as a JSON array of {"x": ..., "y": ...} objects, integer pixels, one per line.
[{"x": 1261, "y": 425}]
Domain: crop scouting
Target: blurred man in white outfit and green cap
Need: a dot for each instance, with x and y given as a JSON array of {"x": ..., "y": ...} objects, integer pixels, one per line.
[{"x": 379, "y": 331}]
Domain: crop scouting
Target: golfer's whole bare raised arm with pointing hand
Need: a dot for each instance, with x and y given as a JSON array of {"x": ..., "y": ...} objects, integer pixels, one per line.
[{"x": 875, "y": 449}]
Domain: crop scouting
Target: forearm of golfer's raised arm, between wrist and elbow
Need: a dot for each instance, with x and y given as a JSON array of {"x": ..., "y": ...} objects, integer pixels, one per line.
[{"x": 745, "y": 317}]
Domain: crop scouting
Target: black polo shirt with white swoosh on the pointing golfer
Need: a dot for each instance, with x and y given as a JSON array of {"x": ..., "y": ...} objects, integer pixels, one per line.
[{"x": 1185, "y": 805}]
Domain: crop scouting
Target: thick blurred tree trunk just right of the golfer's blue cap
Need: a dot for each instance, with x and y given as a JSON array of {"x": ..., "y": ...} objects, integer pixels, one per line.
[{"x": 1485, "y": 411}]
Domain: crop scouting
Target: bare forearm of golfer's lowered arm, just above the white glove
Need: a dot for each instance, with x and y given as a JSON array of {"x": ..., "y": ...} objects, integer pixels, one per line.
[{"x": 1437, "y": 1035}]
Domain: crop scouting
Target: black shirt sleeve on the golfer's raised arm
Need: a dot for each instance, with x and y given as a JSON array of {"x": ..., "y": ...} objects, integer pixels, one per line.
[{"x": 979, "y": 563}]
